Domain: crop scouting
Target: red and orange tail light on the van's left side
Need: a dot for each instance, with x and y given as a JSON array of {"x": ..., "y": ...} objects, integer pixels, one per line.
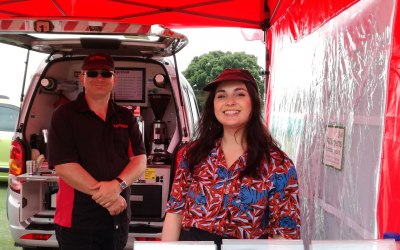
[{"x": 16, "y": 164}]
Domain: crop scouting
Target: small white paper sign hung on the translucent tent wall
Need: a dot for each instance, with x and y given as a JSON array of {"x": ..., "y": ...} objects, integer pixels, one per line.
[{"x": 333, "y": 147}]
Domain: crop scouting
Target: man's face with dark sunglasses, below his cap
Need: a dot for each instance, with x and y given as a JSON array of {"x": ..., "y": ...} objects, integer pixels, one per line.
[{"x": 98, "y": 83}]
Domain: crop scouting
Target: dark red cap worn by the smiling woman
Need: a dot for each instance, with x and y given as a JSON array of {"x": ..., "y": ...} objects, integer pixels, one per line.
[{"x": 232, "y": 75}]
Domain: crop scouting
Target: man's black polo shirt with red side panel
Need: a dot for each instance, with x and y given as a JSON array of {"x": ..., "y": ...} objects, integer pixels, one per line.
[{"x": 78, "y": 135}]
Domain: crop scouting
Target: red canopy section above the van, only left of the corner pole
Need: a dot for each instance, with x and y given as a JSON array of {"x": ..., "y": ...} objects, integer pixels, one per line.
[{"x": 171, "y": 13}]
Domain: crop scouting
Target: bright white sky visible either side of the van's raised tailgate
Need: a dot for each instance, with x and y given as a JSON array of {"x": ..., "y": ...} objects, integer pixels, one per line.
[{"x": 201, "y": 41}]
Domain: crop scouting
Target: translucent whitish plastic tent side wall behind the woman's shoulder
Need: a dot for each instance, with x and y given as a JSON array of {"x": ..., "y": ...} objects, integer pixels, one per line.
[{"x": 336, "y": 76}]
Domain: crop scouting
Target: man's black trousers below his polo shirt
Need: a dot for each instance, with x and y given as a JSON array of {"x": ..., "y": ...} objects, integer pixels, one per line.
[{"x": 72, "y": 239}]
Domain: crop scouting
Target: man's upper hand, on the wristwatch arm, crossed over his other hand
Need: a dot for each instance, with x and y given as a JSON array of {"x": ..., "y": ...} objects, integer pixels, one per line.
[{"x": 107, "y": 193}]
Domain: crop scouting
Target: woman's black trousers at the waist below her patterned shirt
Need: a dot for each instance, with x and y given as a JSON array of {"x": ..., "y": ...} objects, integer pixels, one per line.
[{"x": 195, "y": 234}]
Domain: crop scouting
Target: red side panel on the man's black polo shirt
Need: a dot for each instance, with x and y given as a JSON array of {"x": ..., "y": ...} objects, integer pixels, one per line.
[{"x": 64, "y": 203}]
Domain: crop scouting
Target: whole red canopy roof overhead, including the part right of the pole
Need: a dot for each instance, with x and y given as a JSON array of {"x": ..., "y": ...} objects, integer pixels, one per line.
[{"x": 178, "y": 14}]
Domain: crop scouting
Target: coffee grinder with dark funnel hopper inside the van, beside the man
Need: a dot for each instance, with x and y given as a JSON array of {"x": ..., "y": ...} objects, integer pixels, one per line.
[{"x": 158, "y": 137}]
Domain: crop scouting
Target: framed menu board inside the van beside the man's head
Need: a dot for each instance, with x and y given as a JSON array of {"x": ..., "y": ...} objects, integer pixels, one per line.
[{"x": 130, "y": 85}]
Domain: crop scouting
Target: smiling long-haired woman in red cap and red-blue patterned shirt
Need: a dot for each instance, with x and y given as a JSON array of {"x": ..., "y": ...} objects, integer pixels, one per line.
[{"x": 233, "y": 181}]
